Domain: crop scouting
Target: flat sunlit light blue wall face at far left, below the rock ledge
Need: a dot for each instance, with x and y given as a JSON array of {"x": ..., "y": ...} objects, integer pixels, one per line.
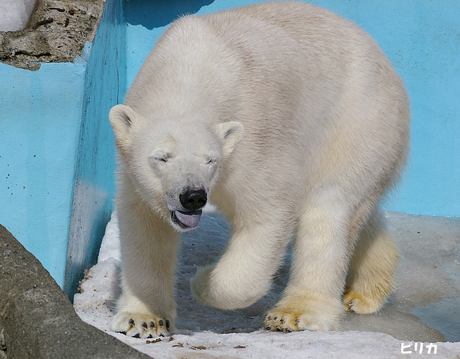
[{"x": 39, "y": 125}]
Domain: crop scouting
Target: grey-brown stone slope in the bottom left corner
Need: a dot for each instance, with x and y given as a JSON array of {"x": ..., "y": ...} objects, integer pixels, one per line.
[{"x": 37, "y": 319}]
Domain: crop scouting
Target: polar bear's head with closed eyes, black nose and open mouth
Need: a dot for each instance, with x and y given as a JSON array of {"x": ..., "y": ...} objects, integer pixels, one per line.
[{"x": 173, "y": 164}]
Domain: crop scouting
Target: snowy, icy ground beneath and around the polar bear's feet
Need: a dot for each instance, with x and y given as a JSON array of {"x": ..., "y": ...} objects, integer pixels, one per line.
[{"x": 428, "y": 278}]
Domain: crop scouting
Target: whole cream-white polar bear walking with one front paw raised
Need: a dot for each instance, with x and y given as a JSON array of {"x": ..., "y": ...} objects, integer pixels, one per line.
[{"x": 291, "y": 121}]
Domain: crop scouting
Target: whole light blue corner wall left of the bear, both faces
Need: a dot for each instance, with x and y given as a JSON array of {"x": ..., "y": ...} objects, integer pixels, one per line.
[{"x": 57, "y": 157}]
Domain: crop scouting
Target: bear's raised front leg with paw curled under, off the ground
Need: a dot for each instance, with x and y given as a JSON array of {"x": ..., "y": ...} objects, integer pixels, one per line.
[{"x": 244, "y": 272}]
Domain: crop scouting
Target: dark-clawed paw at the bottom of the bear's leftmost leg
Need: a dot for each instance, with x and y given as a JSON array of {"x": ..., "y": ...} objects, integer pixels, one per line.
[{"x": 139, "y": 325}]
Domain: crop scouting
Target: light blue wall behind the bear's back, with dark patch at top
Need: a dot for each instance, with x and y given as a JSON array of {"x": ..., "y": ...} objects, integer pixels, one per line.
[{"x": 420, "y": 37}]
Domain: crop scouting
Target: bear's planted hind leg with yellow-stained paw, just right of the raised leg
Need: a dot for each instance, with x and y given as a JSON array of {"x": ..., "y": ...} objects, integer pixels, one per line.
[{"x": 312, "y": 299}]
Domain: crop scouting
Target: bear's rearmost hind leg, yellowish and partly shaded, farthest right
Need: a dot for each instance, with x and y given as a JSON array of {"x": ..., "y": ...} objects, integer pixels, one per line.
[{"x": 372, "y": 268}]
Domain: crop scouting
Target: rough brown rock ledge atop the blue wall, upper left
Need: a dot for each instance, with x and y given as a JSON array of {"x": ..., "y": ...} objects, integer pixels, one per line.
[{"x": 57, "y": 32}]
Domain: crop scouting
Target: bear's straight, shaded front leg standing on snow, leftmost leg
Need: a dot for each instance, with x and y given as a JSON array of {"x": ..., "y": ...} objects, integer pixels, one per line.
[{"x": 148, "y": 249}]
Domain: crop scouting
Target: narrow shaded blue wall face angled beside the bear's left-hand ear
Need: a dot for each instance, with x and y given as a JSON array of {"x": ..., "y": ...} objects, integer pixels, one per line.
[{"x": 94, "y": 187}]
